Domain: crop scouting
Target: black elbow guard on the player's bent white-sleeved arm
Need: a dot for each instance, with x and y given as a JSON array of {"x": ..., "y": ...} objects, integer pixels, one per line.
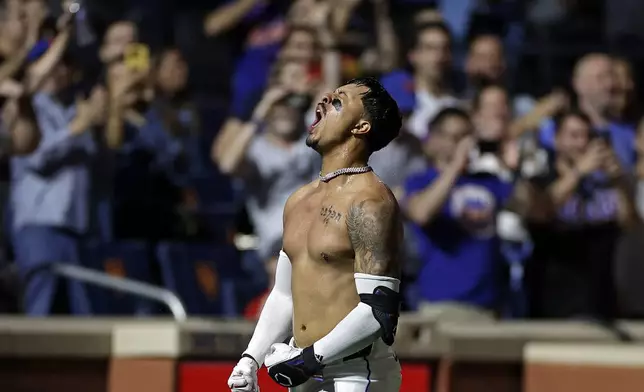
[{"x": 385, "y": 304}]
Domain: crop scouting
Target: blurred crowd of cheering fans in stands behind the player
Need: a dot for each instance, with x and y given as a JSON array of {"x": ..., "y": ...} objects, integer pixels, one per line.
[{"x": 159, "y": 140}]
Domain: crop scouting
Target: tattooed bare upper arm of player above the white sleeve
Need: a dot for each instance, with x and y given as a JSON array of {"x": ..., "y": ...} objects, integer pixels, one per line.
[{"x": 374, "y": 232}]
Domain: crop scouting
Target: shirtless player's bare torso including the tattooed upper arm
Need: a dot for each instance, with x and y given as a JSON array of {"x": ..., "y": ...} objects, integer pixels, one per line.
[{"x": 331, "y": 232}]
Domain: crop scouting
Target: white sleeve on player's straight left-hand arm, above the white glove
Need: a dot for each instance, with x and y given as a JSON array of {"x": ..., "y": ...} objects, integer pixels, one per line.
[{"x": 276, "y": 320}]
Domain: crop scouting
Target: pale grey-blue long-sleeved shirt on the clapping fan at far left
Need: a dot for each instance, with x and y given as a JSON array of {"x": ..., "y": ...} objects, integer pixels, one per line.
[{"x": 53, "y": 186}]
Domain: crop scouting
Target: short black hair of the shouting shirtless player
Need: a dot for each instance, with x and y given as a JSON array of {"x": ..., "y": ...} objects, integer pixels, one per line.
[{"x": 381, "y": 110}]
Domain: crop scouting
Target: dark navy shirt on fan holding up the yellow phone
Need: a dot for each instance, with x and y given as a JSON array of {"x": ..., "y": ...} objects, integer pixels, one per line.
[{"x": 151, "y": 171}]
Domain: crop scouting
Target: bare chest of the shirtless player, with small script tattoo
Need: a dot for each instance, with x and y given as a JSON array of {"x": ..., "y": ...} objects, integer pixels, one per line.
[{"x": 316, "y": 229}]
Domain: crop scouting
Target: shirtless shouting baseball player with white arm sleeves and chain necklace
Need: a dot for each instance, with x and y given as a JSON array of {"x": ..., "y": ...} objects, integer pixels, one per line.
[{"x": 336, "y": 300}]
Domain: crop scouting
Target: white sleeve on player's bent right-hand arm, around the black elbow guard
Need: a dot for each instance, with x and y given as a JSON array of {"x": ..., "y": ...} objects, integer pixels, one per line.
[{"x": 359, "y": 328}]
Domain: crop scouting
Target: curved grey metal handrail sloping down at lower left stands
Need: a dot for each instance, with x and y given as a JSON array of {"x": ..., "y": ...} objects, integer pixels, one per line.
[{"x": 124, "y": 285}]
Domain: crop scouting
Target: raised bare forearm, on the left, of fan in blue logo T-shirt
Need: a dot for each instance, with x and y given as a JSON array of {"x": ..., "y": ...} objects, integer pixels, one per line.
[{"x": 425, "y": 205}]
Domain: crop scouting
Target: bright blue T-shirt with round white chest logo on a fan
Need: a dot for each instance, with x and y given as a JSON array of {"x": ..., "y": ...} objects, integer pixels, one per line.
[{"x": 460, "y": 254}]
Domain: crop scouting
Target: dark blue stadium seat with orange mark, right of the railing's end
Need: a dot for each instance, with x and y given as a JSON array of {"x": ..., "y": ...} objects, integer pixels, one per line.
[{"x": 203, "y": 275}]
